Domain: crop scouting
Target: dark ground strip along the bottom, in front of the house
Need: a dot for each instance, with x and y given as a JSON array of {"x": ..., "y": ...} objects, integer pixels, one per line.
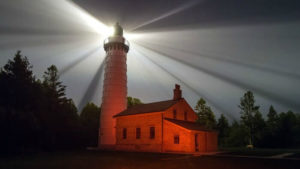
[{"x": 130, "y": 160}]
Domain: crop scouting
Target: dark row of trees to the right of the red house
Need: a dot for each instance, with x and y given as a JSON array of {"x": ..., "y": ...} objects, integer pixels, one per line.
[{"x": 277, "y": 130}]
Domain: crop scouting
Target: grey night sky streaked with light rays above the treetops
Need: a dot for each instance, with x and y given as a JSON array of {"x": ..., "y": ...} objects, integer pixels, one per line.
[{"x": 216, "y": 49}]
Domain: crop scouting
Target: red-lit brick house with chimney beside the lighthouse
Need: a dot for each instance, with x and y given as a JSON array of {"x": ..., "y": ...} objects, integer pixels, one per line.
[{"x": 166, "y": 126}]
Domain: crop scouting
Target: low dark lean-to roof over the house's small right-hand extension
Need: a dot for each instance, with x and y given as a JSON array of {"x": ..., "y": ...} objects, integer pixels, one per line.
[{"x": 188, "y": 125}]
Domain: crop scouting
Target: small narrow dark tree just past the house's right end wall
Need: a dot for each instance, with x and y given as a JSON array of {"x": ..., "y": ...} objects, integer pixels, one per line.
[{"x": 223, "y": 128}]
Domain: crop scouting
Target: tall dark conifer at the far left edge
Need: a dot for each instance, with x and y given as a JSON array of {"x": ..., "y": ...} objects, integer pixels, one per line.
[{"x": 17, "y": 104}]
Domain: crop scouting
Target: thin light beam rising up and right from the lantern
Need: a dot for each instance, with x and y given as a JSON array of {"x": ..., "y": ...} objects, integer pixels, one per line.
[{"x": 184, "y": 7}]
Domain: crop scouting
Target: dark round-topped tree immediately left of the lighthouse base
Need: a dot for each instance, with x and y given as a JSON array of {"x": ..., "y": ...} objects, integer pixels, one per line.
[{"x": 90, "y": 118}]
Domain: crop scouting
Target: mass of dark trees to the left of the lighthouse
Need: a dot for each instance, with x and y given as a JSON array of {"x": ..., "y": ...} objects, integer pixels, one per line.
[{"x": 36, "y": 115}]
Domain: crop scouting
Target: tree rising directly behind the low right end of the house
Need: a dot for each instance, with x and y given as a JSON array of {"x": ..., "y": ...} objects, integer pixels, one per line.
[{"x": 206, "y": 116}]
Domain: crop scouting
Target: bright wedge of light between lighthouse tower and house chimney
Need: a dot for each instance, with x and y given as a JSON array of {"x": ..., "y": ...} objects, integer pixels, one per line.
[{"x": 143, "y": 75}]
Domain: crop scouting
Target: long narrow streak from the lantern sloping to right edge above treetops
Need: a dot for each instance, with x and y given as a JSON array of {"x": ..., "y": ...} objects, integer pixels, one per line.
[{"x": 239, "y": 84}]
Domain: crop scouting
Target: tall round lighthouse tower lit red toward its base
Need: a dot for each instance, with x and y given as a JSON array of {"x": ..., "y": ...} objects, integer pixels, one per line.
[{"x": 114, "y": 98}]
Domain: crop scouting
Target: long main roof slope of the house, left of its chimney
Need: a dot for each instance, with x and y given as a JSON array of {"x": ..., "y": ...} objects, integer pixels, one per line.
[{"x": 148, "y": 108}]
